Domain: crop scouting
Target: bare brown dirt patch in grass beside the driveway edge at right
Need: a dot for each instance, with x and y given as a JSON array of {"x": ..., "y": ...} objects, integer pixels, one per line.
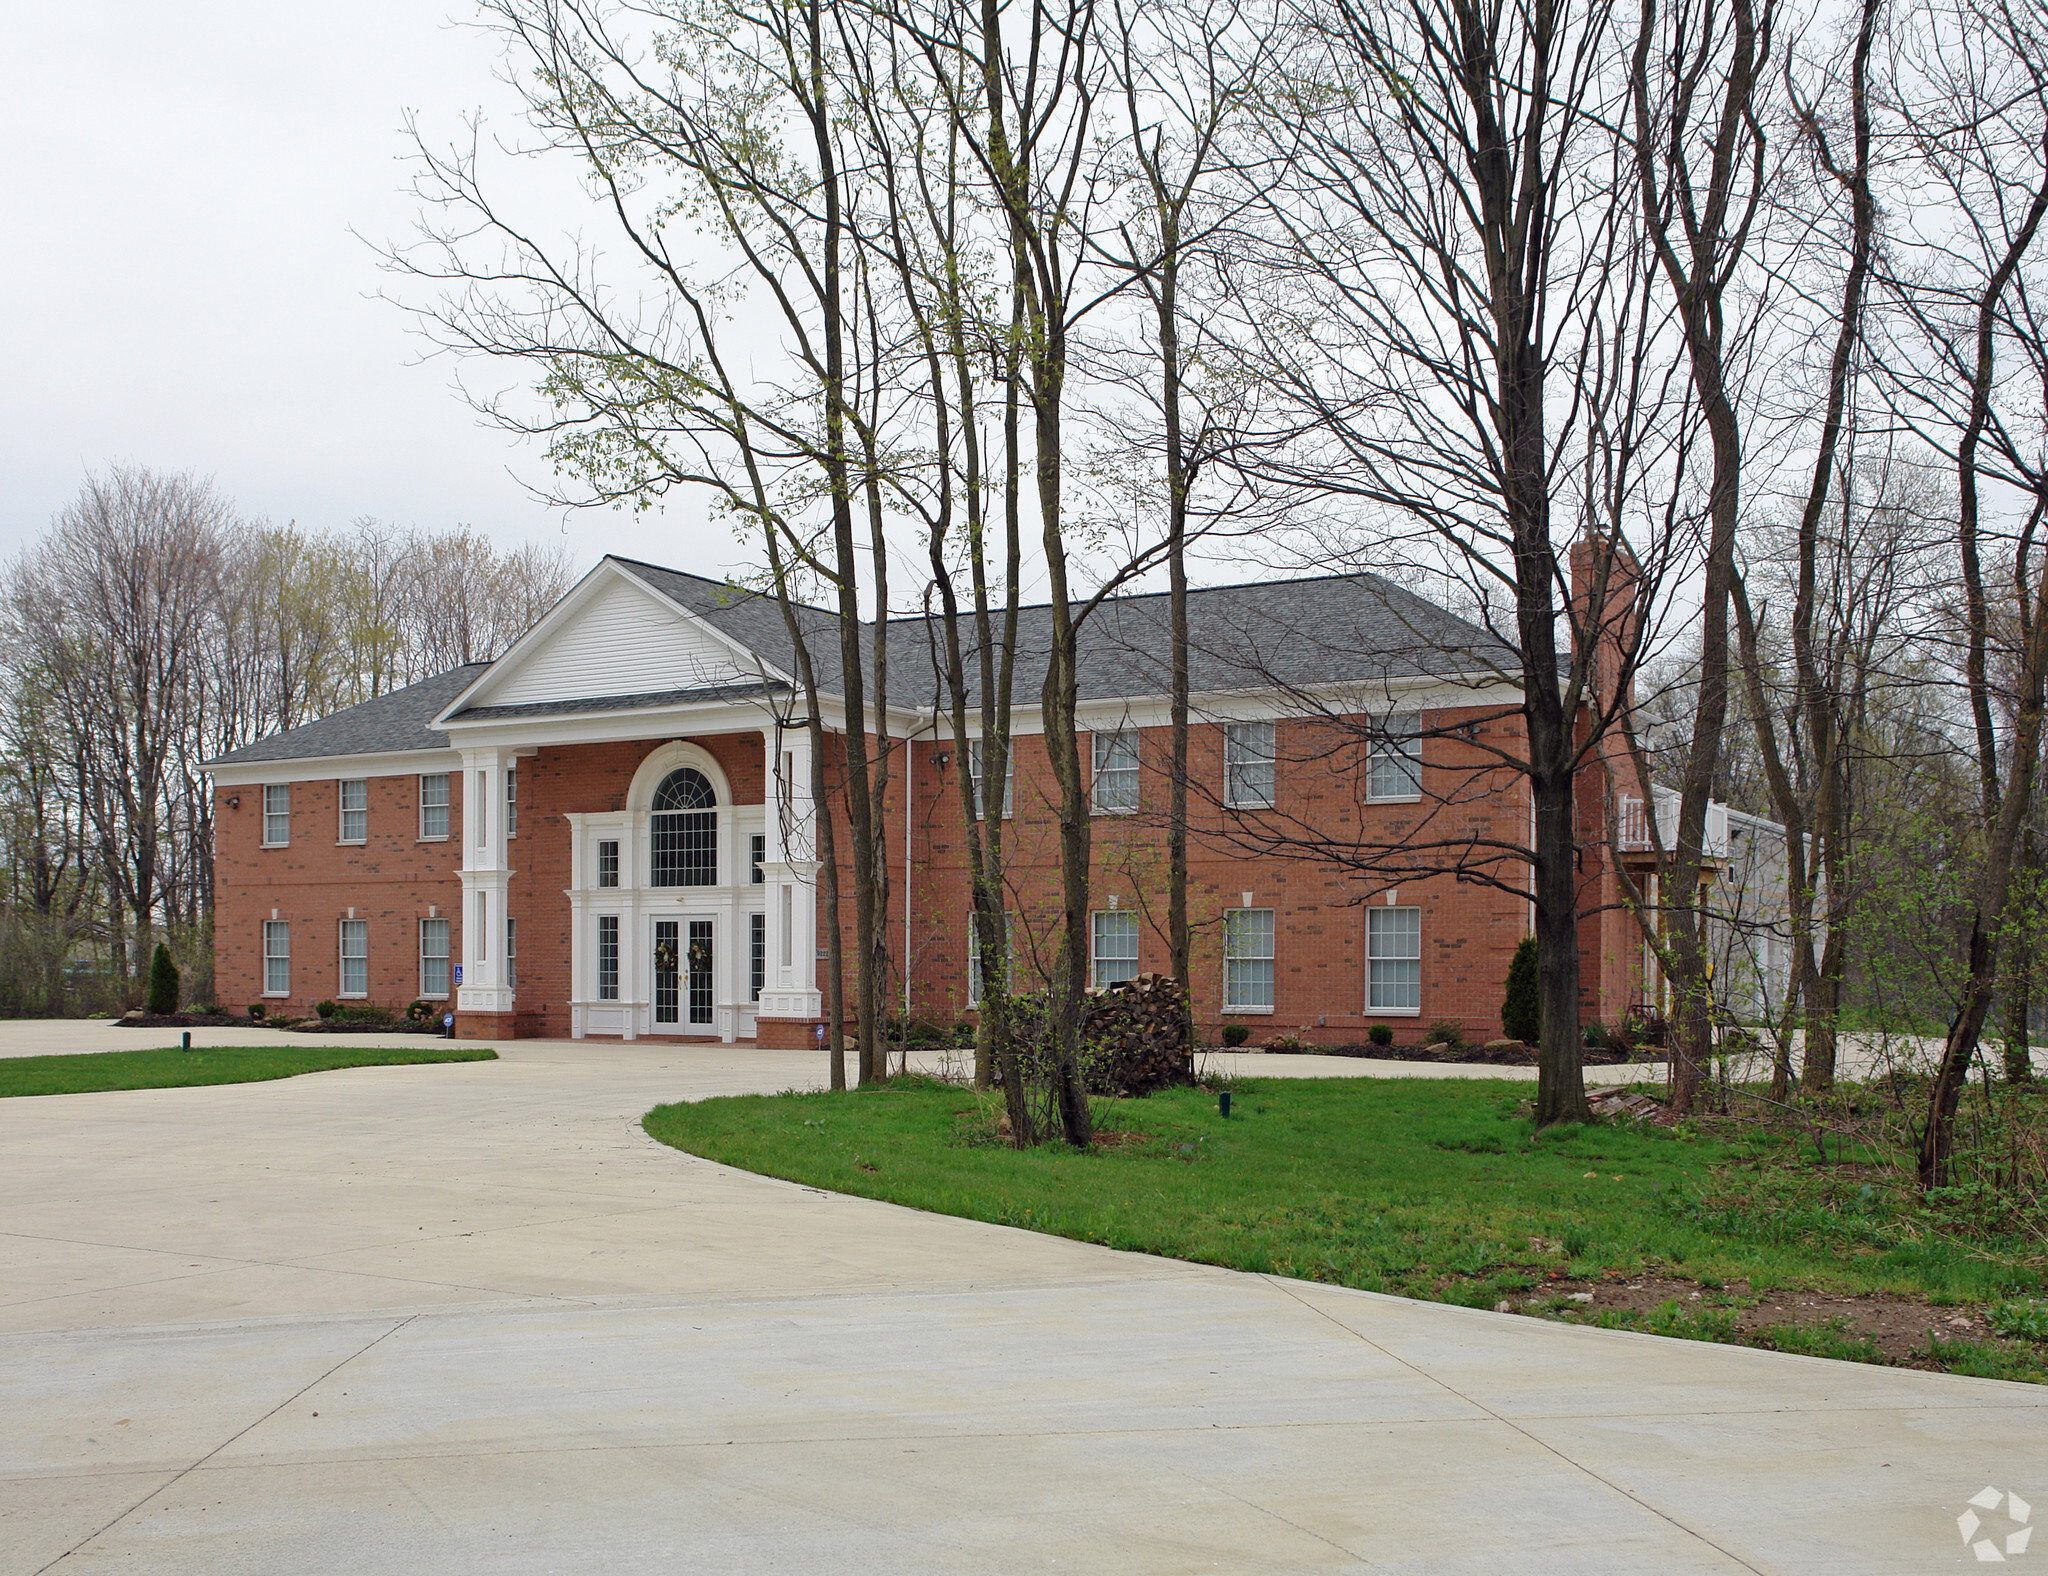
[{"x": 1895, "y": 1327}]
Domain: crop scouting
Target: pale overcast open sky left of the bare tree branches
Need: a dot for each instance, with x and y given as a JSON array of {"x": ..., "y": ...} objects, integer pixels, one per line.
[{"x": 185, "y": 290}]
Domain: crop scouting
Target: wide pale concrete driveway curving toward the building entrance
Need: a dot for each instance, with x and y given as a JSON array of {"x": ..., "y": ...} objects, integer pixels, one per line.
[{"x": 470, "y": 1319}]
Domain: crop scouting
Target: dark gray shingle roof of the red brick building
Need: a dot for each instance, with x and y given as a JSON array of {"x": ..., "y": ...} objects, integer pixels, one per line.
[{"x": 1283, "y": 633}]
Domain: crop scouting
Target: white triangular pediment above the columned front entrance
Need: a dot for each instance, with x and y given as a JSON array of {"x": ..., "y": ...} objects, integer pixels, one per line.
[{"x": 611, "y": 636}]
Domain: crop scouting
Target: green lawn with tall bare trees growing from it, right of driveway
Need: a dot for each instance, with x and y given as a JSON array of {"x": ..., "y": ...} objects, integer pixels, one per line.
[{"x": 1420, "y": 1188}]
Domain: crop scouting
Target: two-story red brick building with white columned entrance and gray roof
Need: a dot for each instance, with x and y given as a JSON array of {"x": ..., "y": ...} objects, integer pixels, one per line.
[{"x": 609, "y": 830}]
